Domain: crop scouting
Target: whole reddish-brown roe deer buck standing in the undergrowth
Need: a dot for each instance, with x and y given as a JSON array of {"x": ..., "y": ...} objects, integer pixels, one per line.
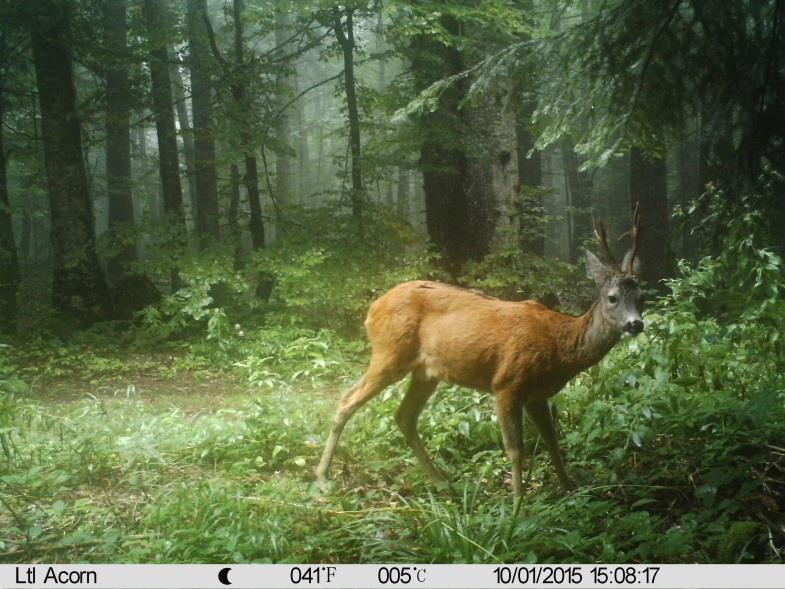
[{"x": 521, "y": 351}]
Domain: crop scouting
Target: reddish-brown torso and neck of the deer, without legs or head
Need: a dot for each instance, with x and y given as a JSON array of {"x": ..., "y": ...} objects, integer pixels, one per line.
[{"x": 465, "y": 338}]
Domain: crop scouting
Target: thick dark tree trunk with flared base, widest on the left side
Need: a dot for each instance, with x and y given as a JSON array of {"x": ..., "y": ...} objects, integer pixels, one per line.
[{"x": 79, "y": 286}]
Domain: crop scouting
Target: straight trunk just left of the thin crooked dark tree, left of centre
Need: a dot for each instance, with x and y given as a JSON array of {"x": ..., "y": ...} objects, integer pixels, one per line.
[{"x": 207, "y": 217}]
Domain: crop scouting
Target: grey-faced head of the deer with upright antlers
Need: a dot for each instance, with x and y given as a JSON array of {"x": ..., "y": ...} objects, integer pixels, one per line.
[{"x": 620, "y": 293}]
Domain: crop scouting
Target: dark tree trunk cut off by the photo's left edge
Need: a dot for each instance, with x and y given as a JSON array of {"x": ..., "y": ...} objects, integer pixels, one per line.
[{"x": 9, "y": 264}]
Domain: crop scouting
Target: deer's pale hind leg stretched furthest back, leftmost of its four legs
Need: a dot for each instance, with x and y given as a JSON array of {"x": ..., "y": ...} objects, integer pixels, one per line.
[{"x": 377, "y": 377}]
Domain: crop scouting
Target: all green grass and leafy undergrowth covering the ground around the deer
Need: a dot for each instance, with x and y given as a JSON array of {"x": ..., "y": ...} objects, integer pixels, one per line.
[{"x": 675, "y": 439}]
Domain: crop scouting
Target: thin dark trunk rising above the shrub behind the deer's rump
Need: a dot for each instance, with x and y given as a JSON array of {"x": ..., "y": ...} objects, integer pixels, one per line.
[{"x": 346, "y": 41}]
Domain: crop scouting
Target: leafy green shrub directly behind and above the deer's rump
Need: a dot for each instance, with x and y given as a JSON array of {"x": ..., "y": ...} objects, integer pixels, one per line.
[{"x": 327, "y": 272}]
